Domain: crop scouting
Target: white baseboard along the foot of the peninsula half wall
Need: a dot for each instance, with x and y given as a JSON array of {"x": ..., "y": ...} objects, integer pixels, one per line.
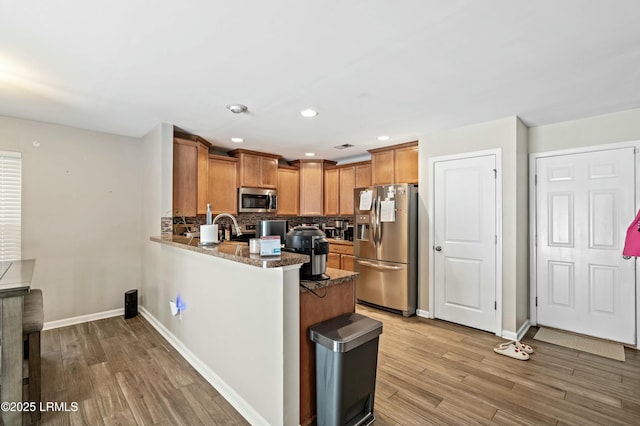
[{"x": 244, "y": 408}]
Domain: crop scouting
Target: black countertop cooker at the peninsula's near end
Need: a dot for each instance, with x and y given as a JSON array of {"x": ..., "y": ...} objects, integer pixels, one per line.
[{"x": 311, "y": 241}]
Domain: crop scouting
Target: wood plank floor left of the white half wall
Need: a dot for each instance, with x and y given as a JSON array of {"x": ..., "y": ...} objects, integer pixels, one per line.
[{"x": 122, "y": 372}]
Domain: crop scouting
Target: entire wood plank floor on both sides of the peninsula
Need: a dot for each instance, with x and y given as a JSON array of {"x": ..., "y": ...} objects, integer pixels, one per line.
[{"x": 429, "y": 372}]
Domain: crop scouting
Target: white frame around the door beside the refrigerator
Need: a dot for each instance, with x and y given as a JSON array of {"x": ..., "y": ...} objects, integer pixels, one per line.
[{"x": 497, "y": 152}]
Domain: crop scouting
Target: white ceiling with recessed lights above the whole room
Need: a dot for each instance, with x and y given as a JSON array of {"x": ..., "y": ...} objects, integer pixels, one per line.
[{"x": 369, "y": 67}]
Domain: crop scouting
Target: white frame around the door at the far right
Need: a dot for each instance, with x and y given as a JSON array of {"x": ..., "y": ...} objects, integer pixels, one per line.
[{"x": 533, "y": 219}]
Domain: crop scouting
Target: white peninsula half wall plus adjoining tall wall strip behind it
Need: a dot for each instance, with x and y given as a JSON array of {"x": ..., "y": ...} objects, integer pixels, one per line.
[{"x": 241, "y": 327}]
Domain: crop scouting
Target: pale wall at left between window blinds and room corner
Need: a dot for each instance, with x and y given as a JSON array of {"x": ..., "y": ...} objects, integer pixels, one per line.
[{"x": 81, "y": 214}]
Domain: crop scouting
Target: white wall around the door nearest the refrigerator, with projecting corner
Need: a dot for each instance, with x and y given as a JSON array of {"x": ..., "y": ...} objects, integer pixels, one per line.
[{"x": 506, "y": 134}]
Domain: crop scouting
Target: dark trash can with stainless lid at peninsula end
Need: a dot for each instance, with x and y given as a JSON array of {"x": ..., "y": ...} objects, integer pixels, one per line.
[{"x": 346, "y": 361}]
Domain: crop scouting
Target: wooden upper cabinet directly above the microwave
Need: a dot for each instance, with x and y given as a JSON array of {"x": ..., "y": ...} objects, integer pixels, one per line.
[{"x": 256, "y": 169}]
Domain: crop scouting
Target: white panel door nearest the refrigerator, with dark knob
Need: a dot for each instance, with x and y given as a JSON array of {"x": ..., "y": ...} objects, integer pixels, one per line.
[{"x": 464, "y": 252}]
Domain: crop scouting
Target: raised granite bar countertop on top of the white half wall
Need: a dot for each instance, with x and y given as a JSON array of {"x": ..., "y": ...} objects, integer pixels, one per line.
[{"x": 234, "y": 251}]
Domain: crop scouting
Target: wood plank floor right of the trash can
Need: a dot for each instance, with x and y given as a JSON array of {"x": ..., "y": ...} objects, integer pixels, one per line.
[{"x": 434, "y": 372}]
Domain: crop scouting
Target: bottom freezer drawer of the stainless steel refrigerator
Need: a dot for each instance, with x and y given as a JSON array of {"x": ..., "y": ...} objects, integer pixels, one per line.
[{"x": 385, "y": 284}]
